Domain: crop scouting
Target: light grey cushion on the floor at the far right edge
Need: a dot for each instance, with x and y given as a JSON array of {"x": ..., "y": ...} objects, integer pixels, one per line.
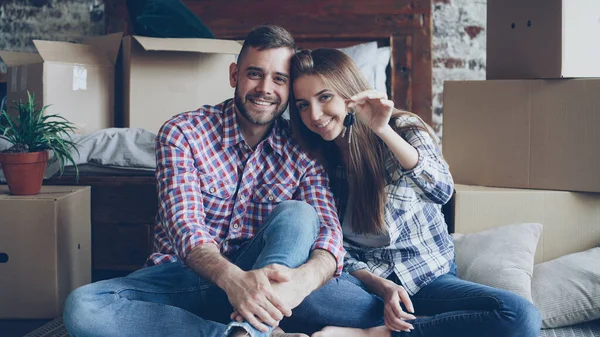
[{"x": 566, "y": 290}]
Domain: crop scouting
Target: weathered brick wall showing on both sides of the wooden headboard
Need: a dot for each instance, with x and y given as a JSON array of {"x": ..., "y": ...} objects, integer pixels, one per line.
[{"x": 458, "y": 34}]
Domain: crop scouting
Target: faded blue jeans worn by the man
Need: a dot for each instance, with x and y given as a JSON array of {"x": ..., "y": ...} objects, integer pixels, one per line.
[{"x": 172, "y": 300}]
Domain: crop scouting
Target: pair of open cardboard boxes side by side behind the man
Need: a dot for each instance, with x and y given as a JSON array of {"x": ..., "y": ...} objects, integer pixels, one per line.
[{"x": 115, "y": 81}]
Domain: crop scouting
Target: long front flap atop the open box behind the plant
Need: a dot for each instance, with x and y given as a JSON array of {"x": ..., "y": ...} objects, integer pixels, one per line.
[{"x": 65, "y": 52}]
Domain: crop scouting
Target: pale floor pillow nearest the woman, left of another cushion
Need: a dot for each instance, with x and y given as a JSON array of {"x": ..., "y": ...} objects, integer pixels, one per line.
[{"x": 500, "y": 257}]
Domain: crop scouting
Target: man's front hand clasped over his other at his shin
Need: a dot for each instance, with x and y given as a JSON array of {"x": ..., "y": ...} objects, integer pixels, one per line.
[{"x": 252, "y": 296}]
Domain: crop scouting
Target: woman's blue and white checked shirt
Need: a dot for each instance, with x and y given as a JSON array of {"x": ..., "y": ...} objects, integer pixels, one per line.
[{"x": 420, "y": 247}]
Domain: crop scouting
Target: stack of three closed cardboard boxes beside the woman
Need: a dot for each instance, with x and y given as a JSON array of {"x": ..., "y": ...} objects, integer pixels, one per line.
[{"x": 528, "y": 138}]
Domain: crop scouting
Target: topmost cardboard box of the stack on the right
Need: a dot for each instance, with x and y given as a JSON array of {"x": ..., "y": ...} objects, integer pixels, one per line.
[{"x": 542, "y": 39}]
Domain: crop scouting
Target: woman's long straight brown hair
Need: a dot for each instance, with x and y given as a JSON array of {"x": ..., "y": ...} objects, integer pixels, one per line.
[{"x": 367, "y": 155}]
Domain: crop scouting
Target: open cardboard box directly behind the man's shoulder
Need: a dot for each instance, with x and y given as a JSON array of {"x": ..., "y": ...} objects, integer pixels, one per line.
[{"x": 165, "y": 77}]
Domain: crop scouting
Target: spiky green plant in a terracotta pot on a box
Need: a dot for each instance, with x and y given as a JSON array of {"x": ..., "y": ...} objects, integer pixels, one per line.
[{"x": 33, "y": 136}]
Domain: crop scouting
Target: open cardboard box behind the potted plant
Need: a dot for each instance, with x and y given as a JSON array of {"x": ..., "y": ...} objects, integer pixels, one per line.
[{"x": 75, "y": 80}]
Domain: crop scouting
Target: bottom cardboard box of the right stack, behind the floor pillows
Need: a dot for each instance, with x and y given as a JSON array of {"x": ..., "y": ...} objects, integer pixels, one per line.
[{"x": 571, "y": 220}]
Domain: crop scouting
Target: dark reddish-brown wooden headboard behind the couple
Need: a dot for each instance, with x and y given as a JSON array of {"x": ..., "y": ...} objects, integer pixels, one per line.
[{"x": 405, "y": 25}]
